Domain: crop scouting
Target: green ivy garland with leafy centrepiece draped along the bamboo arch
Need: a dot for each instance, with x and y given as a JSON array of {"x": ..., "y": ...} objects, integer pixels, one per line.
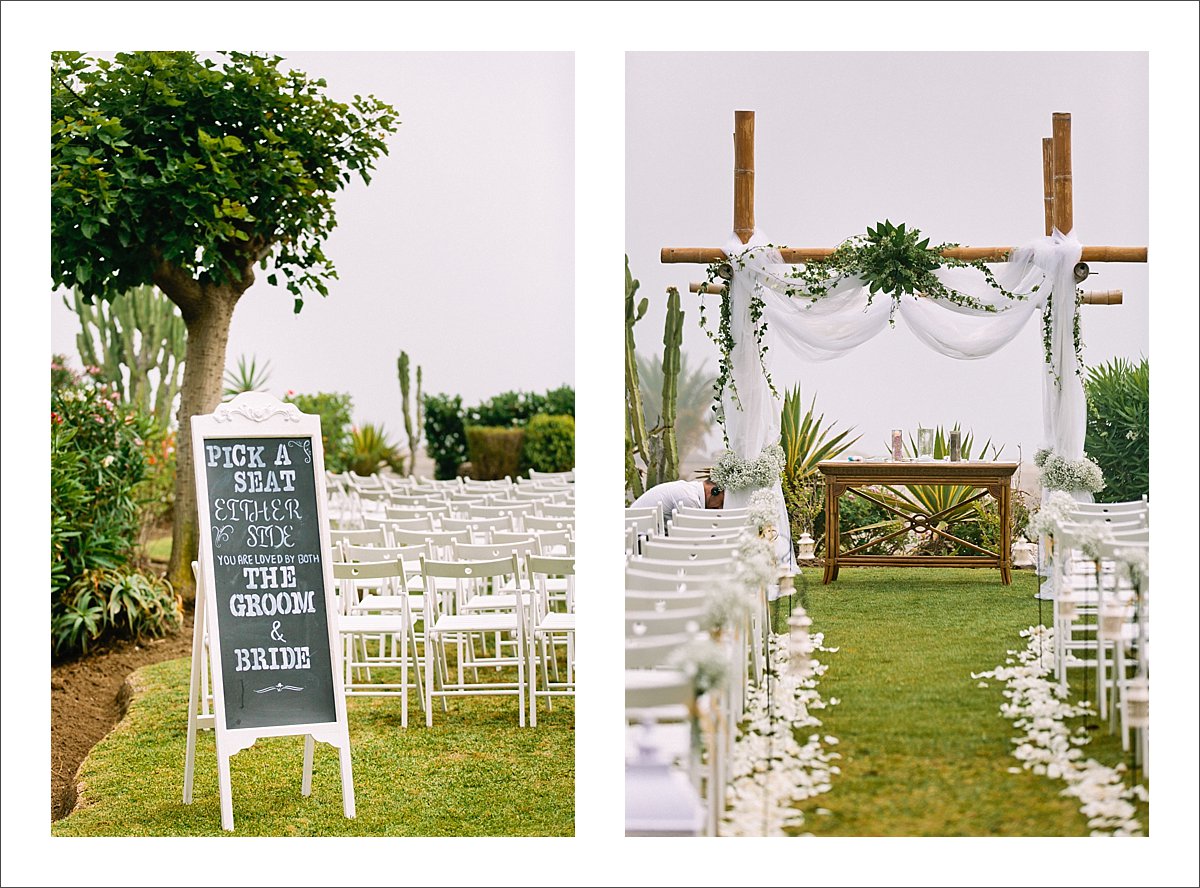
[{"x": 891, "y": 260}]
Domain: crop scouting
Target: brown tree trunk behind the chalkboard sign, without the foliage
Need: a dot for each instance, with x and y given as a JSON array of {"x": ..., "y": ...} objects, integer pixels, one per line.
[{"x": 208, "y": 311}]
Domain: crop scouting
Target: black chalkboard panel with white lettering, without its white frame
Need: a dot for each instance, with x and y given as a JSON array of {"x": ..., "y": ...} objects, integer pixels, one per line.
[{"x": 271, "y": 587}]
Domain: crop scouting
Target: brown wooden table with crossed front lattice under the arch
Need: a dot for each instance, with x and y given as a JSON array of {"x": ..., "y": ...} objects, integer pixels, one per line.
[{"x": 986, "y": 478}]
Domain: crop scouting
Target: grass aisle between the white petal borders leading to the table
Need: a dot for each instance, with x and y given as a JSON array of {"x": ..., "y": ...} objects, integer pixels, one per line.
[{"x": 925, "y": 749}]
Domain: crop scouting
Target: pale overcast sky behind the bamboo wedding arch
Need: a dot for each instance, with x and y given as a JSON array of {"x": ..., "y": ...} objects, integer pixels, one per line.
[{"x": 947, "y": 142}]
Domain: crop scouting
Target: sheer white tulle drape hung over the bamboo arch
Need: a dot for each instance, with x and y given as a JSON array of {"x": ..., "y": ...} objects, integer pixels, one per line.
[{"x": 843, "y": 320}]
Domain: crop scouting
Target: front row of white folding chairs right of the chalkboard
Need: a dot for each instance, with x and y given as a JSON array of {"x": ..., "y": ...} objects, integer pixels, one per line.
[{"x": 494, "y": 597}]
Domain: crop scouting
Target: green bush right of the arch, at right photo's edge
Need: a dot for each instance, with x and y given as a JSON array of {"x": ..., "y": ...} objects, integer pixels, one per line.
[{"x": 1119, "y": 428}]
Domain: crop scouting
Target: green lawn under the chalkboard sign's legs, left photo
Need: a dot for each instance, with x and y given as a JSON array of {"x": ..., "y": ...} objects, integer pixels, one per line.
[{"x": 473, "y": 773}]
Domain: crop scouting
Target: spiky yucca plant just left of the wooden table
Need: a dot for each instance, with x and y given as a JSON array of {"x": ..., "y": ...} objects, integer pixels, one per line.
[{"x": 807, "y": 441}]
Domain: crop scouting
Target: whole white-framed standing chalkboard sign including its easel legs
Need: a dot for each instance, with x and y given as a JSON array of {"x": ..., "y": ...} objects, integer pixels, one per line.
[{"x": 266, "y": 617}]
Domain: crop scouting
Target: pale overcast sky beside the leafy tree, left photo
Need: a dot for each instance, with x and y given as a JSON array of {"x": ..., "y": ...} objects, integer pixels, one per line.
[{"x": 431, "y": 256}]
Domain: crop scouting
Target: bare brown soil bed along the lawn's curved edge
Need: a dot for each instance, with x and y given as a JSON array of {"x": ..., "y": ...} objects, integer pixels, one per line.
[{"x": 89, "y": 697}]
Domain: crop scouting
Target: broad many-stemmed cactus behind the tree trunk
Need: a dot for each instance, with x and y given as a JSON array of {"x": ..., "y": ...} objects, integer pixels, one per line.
[{"x": 139, "y": 332}]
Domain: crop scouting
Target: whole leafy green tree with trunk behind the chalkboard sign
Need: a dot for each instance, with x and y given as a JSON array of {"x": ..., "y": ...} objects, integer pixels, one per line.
[{"x": 187, "y": 173}]
